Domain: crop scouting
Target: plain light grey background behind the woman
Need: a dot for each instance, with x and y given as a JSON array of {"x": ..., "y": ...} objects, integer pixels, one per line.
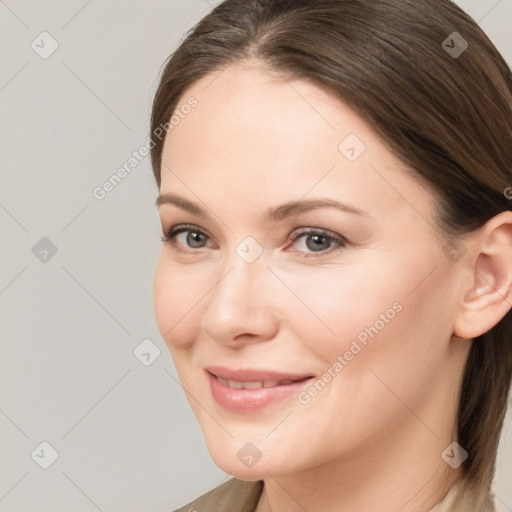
[{"x": 125, "y": 435}]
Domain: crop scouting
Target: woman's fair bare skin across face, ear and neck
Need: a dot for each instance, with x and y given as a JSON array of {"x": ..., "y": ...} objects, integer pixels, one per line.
[{"x": 372, "y": 438}]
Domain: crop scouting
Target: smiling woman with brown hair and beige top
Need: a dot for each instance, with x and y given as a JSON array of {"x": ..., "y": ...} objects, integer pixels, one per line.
[{"x": 335, "y": 282}]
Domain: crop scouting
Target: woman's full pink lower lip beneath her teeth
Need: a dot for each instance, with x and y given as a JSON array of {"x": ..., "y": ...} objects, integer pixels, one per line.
[{"x": 252, "y": 400}]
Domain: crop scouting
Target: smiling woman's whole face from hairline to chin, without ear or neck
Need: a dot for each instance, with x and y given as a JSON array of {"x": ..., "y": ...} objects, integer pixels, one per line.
[{"x": 256, "y": 291}]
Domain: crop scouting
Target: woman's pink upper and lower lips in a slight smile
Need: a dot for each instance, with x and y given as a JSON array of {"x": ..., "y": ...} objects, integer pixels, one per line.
[{"x": 246, "y": 401}]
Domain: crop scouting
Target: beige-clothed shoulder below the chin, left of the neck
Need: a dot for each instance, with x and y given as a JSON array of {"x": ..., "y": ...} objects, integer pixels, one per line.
[{"x": 232, "y": 496}]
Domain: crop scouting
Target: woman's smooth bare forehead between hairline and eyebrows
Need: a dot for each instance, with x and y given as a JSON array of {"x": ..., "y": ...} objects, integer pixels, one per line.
[{"x": 259, "y": 135}]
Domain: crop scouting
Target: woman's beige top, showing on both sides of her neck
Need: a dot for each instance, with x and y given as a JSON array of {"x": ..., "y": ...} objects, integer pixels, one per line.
[{"x": 241, "y": 496}]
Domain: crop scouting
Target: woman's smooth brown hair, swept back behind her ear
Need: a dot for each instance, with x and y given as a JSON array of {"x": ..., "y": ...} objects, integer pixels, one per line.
[{"x": 447, "y": 116}]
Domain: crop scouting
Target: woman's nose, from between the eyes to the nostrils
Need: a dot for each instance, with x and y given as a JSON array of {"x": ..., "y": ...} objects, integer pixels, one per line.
[{"x": 239, "y": 308}]
